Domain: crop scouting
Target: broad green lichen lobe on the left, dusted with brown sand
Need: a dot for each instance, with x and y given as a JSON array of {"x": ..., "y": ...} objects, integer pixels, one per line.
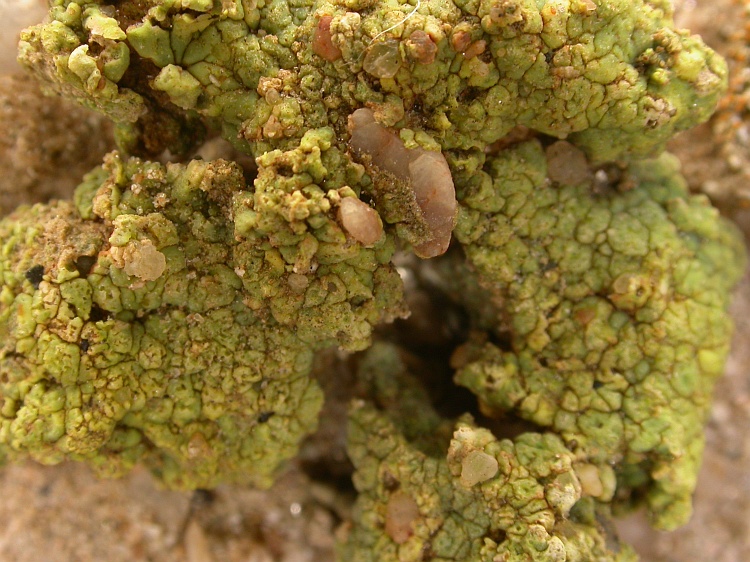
[{"x": 170, "y": 316}]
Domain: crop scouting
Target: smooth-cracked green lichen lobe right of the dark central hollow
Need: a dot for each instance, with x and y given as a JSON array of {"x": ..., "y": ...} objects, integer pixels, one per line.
[{"x": 613, "y": 304}]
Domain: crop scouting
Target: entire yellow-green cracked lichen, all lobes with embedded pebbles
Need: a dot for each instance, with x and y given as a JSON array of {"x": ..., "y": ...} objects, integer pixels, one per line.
[{"x": 170, "y": 314}]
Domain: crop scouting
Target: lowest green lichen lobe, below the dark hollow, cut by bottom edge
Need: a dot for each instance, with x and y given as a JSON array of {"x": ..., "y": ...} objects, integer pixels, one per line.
[{"x": 416, "y": 504}]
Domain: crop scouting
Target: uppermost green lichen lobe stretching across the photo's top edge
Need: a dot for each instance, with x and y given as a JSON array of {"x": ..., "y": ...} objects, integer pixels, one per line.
[{"x": 614, "y": 76}]
